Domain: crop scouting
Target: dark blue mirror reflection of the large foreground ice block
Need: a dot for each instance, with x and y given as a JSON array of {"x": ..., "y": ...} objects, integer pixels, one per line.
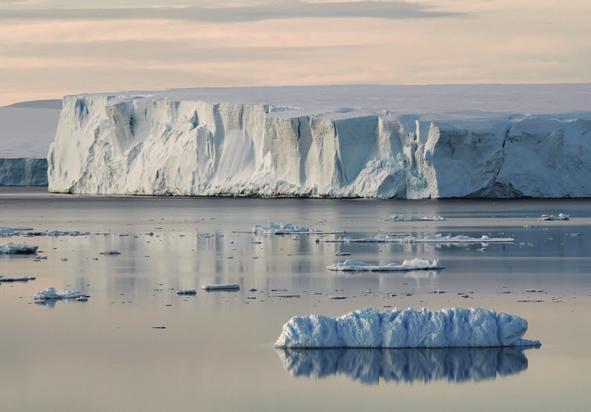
[{"x": 370, "y": 366}]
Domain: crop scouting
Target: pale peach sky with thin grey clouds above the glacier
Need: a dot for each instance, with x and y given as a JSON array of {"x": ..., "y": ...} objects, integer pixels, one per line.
[{"x": 50, "y": 48}]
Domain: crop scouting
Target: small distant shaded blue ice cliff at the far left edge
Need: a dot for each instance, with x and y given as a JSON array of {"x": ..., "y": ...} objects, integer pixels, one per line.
[{"x": 23, "y": 172}]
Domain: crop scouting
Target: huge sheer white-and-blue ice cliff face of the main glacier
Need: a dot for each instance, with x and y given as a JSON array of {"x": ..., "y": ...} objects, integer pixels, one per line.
[{"x": 155, "y": 145}]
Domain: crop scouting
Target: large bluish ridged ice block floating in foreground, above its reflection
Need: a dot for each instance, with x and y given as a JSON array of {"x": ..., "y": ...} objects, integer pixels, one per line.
[{"x": 409, "y": 328}]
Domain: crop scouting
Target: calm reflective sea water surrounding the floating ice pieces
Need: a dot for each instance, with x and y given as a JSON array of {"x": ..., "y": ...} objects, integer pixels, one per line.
[{"x": 216, "y": 351}]
